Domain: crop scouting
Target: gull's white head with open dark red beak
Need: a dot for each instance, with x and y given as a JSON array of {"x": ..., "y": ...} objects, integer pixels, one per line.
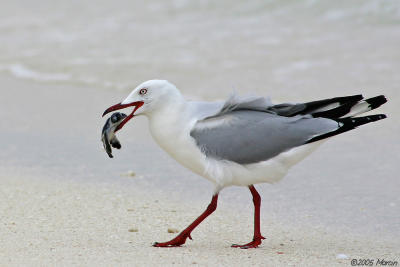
[{"x": 147, "y": 97}]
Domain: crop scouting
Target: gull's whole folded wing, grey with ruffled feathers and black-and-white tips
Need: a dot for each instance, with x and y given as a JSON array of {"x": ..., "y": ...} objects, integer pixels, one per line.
[{"x": 253, "y": 130}]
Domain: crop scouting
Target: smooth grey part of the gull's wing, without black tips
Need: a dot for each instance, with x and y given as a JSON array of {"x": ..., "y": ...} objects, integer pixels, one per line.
[{"x": 249, "y": 136}]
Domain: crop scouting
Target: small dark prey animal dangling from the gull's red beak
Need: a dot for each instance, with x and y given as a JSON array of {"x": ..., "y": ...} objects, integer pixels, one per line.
[{"x": 108, "y": 133}]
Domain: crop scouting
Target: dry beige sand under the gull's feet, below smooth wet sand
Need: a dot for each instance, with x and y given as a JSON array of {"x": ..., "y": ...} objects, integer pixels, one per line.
[{"x": 47, "y": 223}]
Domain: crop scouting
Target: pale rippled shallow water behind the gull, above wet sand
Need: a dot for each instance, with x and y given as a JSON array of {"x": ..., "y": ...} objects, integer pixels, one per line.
[{"x": 285, "y": 49}]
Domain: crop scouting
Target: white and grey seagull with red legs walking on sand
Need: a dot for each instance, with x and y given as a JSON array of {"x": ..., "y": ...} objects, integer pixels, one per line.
[{"x": 241, "y": 141}]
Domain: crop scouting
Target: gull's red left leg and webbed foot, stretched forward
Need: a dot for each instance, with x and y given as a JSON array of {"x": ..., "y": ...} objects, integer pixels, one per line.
[{"x": 181, "y": 238}]
